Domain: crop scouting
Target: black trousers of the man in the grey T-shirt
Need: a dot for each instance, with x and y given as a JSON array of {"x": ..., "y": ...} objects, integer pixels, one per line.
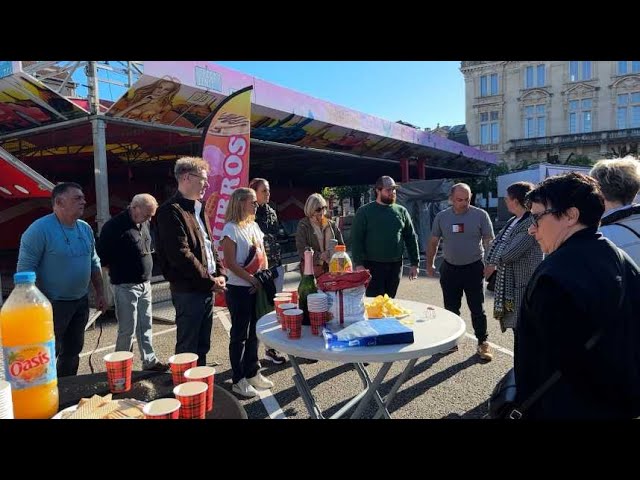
[{"x": 456, "y": 279}]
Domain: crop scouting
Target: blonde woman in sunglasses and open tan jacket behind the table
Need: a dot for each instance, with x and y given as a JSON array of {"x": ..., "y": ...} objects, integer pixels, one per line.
[{"x": 316, "y": 231}]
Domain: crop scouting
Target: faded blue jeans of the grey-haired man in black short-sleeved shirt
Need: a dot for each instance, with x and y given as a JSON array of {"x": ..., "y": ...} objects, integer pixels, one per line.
[{"x": 133, "y": 311}]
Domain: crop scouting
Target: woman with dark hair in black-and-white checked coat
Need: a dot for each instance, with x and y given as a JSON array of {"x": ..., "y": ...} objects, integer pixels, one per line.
[{"x": 513, "y": 256}]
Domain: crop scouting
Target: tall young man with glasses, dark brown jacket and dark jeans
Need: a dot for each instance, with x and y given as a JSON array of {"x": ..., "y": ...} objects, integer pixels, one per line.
[{"x": 188, "y": 259}]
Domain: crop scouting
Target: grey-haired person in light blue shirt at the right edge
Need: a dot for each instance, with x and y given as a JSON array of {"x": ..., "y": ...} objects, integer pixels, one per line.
[{"x": 619, "y": 180}]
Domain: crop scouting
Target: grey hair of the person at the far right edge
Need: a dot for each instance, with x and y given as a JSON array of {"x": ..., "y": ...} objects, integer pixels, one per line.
[{"x": 619, "y": 178}]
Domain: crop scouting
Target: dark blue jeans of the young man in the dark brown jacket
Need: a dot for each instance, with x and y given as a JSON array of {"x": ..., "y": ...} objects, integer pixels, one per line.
[{"x": 194, "y": 320}]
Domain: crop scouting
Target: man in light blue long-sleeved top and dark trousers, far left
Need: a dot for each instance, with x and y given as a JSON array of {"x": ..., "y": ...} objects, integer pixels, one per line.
[{"x": 60, "y": 248}]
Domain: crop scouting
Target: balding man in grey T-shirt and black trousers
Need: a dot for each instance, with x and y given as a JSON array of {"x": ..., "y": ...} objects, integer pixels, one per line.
[{"x": 464, "y": 231}]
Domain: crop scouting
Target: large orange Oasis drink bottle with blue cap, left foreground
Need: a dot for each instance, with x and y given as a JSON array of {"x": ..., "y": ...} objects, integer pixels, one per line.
[{"x": 28, "y": 347}]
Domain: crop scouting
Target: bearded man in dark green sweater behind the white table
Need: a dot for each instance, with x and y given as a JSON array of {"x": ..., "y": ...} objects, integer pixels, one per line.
[{"x": 379, "y": 232}]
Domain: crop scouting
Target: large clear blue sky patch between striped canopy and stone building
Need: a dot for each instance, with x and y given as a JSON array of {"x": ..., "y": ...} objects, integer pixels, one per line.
[{"x": 421, "y": 93}]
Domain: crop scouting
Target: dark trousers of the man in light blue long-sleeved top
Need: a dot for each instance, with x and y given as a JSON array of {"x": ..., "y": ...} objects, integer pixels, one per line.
[{"x": 69, "y": 319}]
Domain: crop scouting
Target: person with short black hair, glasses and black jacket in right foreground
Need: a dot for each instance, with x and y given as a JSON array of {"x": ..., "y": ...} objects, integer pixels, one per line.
[{"x": 577, "y": 318}]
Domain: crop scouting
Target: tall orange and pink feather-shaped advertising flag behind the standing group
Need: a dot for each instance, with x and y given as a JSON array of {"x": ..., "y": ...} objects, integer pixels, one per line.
[{"x": 226, "y": 150}]
